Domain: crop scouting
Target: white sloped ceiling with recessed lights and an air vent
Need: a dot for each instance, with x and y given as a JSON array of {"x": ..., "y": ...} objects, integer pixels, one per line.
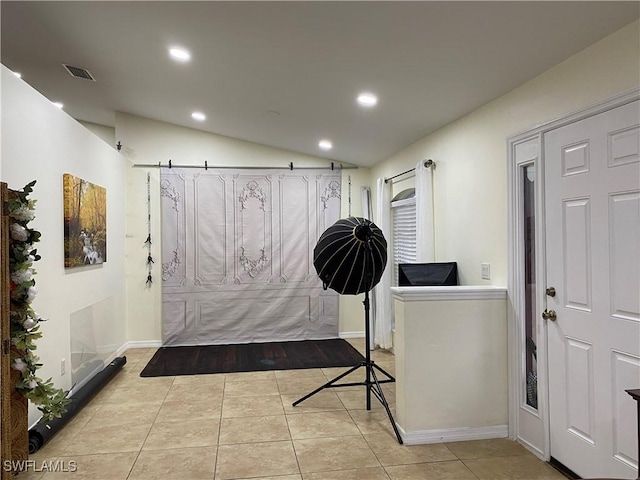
[{"x": 429, "y": 62}]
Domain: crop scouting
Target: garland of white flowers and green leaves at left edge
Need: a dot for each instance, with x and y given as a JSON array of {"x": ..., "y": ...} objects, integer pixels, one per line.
[{"x": 25, "y": 322}]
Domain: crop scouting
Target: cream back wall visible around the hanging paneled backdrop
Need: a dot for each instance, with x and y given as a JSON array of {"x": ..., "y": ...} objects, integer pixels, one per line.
[{"x": 148, "y": 141}]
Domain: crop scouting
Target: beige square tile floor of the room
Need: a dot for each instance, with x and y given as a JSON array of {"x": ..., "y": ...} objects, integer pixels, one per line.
[{"x": 242, "y": 425}]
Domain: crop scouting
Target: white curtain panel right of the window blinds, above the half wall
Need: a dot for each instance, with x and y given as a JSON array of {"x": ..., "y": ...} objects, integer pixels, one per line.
[{"x": 424, "y": 214}]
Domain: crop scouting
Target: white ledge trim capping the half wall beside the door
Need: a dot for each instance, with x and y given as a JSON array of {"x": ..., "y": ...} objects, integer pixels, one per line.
[{"x": 458, "y": 292}]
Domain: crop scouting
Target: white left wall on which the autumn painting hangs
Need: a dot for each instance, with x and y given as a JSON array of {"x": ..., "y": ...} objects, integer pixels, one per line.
[{"x": 41, "y": 142}]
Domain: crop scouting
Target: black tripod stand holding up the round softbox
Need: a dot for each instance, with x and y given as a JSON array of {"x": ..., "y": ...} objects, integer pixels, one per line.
[{"x": 371, "y": 379}]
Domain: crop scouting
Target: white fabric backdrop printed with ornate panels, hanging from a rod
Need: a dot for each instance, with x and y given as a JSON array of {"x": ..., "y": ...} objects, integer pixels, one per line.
[{"x": 237, "y": 255}]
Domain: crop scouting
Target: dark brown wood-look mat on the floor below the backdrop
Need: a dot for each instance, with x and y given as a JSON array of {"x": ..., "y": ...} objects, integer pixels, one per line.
[{"x": 252, "y": 357}]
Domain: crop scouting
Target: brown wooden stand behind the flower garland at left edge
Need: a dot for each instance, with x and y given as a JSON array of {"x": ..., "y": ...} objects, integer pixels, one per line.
[{"x": 14, "y": 428}]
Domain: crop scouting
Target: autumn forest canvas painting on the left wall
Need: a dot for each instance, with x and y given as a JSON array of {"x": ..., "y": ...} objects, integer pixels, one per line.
[{"x": 85, "y": 222}]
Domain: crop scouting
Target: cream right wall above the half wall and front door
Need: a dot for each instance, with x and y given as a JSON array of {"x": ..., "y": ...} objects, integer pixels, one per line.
[{"x": 470, "y": 179}]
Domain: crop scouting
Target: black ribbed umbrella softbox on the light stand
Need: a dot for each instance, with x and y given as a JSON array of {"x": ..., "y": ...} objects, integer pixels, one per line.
[{"x": 344, "y": 261}]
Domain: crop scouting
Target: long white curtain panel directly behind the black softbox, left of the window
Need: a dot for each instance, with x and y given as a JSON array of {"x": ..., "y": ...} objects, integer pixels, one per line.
[{"x": 383, "y": 306}]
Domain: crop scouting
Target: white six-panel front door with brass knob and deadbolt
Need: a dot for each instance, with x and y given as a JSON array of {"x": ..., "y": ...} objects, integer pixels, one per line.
[{"x": 592, "y": 211}]
